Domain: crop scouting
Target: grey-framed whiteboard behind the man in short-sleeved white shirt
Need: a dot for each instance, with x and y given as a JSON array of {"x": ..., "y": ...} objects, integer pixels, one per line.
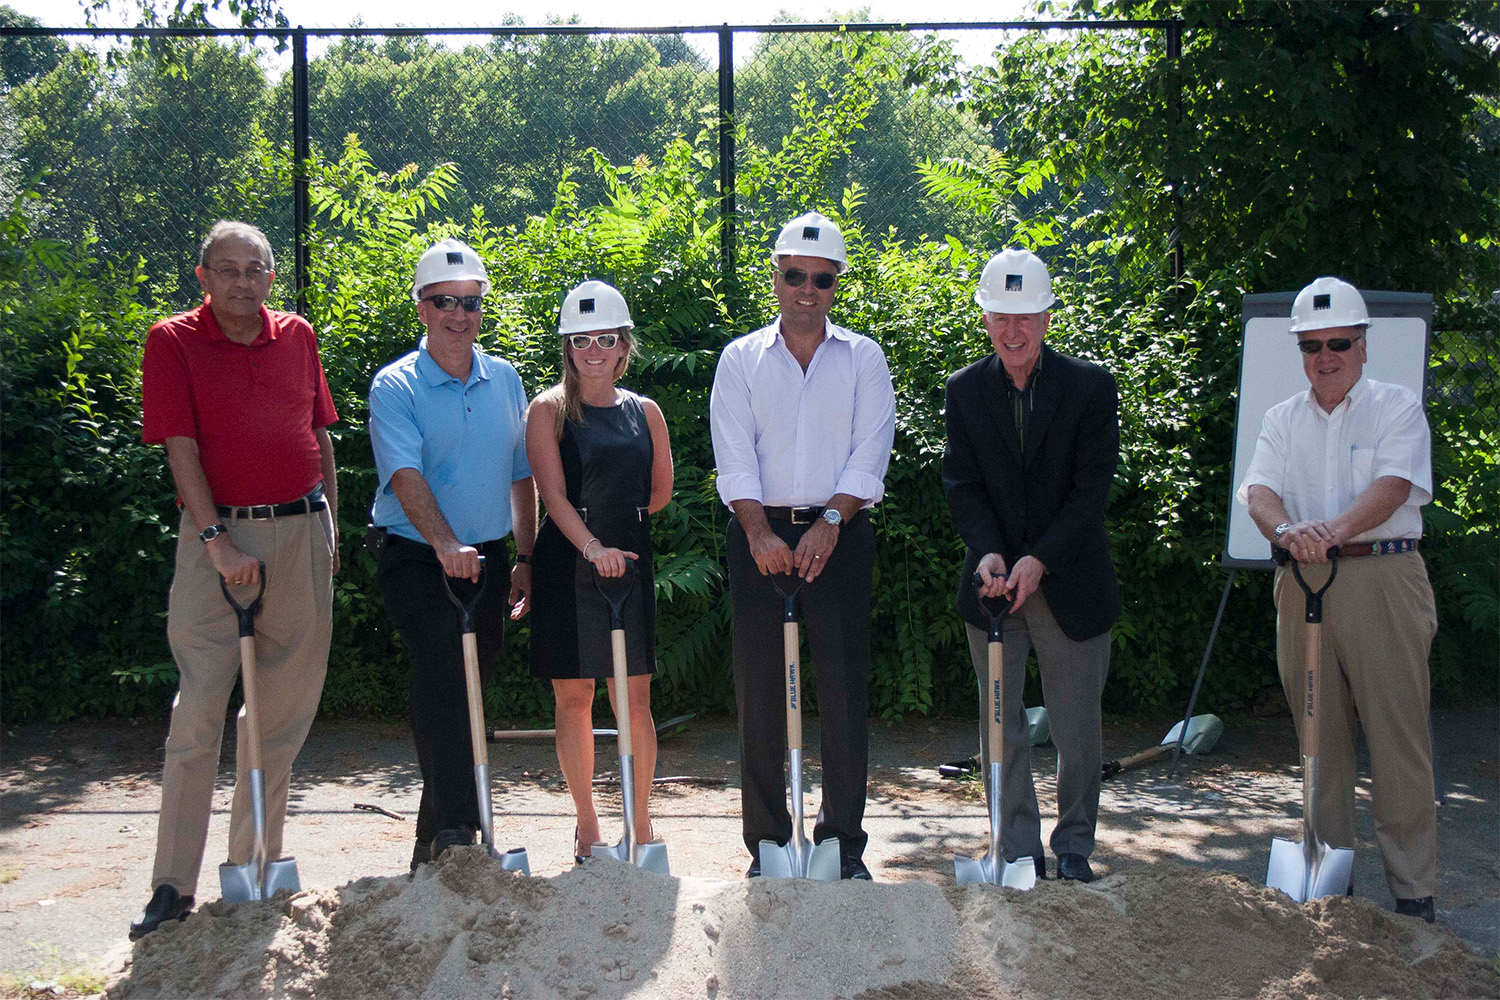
[{"x": 1271, "y": 371}]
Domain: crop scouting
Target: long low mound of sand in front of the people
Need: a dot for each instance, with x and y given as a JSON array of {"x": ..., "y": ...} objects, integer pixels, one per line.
[{"x": 466, "y": 929}]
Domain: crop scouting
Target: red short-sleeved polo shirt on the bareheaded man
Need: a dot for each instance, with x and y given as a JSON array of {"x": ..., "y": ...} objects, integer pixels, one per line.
[{"x": 251, "y": 409}]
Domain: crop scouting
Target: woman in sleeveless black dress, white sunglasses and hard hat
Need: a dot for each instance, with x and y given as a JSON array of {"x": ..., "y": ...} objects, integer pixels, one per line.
[{"x": 602, "y": 466}]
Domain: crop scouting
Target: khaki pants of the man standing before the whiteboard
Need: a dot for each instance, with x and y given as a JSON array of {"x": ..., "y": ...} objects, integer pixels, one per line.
[{"x": 1379, "y": 620}]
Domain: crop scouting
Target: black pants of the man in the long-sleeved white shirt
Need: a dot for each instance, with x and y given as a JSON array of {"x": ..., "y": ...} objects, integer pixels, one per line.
[{"x": 835, "y": 615}]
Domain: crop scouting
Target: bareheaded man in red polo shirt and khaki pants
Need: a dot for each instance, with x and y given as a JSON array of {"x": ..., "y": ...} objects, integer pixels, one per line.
[{"x": 238, "y": 395}]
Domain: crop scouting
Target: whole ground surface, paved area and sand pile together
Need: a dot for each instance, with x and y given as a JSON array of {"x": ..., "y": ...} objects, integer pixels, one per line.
[{"x": 79, "y": 819}]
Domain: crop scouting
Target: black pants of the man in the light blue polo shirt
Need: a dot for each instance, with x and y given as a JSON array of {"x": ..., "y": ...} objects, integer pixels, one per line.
[{"x": 428, "y": 623}]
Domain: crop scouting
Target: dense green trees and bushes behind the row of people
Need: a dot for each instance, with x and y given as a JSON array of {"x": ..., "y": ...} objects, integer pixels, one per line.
[{"x": 1093, "y": 148}]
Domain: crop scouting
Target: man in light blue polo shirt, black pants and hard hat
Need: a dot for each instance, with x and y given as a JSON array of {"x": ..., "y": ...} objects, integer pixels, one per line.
[{"x": 448, "y": 428}]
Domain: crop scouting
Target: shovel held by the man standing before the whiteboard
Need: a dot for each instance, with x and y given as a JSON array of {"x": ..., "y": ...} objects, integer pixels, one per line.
[{"x": 1312, "y": 869}]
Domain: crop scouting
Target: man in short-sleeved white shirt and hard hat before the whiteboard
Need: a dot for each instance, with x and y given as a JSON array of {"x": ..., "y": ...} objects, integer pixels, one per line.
[{"x": 1349, "y": 464}]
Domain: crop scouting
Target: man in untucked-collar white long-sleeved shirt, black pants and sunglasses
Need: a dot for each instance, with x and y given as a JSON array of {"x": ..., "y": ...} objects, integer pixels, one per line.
[{"x": 803, "y": 419}]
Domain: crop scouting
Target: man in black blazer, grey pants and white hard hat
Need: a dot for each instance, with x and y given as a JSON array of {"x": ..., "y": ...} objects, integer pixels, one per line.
[{"x": 1033, "y": 449}]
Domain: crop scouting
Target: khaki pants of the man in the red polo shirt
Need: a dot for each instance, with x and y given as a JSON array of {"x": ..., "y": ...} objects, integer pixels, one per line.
[{"x": 292, "y": 650}]
